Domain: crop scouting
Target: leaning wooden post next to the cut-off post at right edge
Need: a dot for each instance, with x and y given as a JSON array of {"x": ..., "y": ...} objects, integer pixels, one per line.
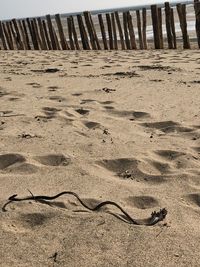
[{"x": 181, "y": 8}]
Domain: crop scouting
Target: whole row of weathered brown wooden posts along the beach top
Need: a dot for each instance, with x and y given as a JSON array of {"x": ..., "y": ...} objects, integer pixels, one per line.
[{"x": 41, "y": 34}]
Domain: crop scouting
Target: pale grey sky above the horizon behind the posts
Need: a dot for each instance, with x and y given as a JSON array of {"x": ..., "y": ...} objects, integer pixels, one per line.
[{"x": 29, "y": 8}]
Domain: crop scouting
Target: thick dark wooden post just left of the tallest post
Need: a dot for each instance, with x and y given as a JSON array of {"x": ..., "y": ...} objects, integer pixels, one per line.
[{"x": 156, "y": 29}]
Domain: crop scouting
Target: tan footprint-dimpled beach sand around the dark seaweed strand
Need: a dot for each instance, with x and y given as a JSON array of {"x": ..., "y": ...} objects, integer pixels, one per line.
[{"x": 119, "y": 126}]
